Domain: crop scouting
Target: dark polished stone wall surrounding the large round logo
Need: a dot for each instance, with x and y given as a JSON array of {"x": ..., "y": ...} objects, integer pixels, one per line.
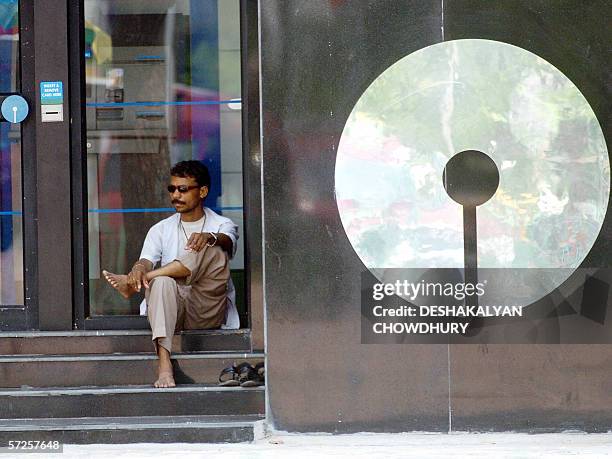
[{"x": 317, "y": 59}]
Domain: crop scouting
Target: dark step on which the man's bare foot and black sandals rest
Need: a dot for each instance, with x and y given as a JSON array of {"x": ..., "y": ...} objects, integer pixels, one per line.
[{"x": 134, "y": 401}]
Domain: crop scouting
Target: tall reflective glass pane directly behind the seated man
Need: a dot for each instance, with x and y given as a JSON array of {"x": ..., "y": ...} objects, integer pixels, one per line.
[{"x": 160, "y": 78}]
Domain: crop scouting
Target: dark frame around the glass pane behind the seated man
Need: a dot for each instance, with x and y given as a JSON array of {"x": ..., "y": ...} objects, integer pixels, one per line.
[{"x": 252, "y": 170}]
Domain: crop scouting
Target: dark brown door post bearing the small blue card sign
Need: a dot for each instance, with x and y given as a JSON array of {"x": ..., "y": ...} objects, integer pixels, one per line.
[{"x": 47, "y": 252}]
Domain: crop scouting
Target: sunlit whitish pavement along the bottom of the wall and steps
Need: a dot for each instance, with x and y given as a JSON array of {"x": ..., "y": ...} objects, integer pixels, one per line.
[{"x": 371, "y": 446}]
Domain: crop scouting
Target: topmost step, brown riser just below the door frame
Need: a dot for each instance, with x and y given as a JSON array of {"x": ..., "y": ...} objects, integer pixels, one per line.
[{"x": 120, "y": 341}]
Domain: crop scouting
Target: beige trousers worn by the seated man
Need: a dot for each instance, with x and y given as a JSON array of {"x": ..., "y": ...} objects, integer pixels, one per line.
[{"x": 197, "y": 301}]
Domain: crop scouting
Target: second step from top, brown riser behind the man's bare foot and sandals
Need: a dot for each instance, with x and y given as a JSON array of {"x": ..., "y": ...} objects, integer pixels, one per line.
[{"x": 114, "y": 369}]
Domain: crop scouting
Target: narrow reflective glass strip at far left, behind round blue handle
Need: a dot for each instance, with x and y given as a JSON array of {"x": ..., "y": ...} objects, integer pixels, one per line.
[{"x": 11, "y": 231}]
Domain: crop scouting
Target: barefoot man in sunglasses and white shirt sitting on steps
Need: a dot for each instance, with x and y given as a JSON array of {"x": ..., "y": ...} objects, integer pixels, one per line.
[{"x": 192, "y": 288}]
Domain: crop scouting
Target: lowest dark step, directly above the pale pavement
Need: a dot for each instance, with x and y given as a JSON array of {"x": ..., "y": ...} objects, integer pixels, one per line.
[{"x": 133, "y": 429}]
